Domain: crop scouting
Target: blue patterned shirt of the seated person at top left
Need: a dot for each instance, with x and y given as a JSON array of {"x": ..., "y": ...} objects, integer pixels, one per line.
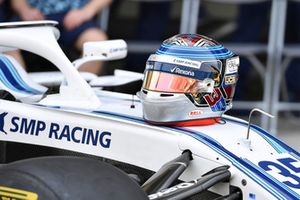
[{"x": 56, "y": 6}]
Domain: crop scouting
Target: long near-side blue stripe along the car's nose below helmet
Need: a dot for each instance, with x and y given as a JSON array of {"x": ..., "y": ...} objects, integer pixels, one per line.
[{"x": 279, "y": 190}]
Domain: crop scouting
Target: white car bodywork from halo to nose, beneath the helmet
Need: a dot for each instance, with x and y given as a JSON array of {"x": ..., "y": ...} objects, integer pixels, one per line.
[{"x": 267, "y": 169}]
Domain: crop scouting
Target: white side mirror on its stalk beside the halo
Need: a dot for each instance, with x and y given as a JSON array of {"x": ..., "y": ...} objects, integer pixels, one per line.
[{"x": 102, "y": 51}]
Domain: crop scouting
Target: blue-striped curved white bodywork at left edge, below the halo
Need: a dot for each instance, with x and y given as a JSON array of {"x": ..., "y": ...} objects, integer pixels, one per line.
[{"x": 11, "y": 78}]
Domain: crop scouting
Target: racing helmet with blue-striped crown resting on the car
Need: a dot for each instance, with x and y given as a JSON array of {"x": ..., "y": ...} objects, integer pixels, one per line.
[{"x": 190, "y": 80}]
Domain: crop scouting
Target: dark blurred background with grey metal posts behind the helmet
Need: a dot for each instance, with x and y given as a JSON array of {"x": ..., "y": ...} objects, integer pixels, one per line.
[{"x": 264, "y": 33}]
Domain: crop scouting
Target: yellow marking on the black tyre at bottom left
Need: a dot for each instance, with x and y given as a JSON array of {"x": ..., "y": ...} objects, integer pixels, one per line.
[{"x": 7, "y": 193}]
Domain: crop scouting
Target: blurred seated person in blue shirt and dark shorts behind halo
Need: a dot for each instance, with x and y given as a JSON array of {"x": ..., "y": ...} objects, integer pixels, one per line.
[{"x": 77, "y": 23}]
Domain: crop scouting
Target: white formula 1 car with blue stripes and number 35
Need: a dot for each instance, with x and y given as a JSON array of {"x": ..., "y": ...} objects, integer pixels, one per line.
[{"x": 219, "y": 161}]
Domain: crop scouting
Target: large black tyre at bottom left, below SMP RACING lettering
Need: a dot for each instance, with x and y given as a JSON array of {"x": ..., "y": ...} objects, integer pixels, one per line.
[{"x": 69, "y": 178}]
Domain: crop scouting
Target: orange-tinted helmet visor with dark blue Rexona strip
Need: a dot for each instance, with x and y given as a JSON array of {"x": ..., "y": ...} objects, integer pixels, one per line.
[{"x": 169, "y": 77}]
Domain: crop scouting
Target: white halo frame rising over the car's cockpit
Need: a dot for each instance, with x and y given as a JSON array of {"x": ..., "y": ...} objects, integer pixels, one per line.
[{"x": 41, "y": 40}]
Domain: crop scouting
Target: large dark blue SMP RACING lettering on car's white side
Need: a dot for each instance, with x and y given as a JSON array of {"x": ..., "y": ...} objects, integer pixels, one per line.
[{"x": 55, "y": 131}]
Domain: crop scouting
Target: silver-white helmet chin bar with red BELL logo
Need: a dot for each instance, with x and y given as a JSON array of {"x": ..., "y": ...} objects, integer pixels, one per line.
[{"x": 168, "y": 110}]
